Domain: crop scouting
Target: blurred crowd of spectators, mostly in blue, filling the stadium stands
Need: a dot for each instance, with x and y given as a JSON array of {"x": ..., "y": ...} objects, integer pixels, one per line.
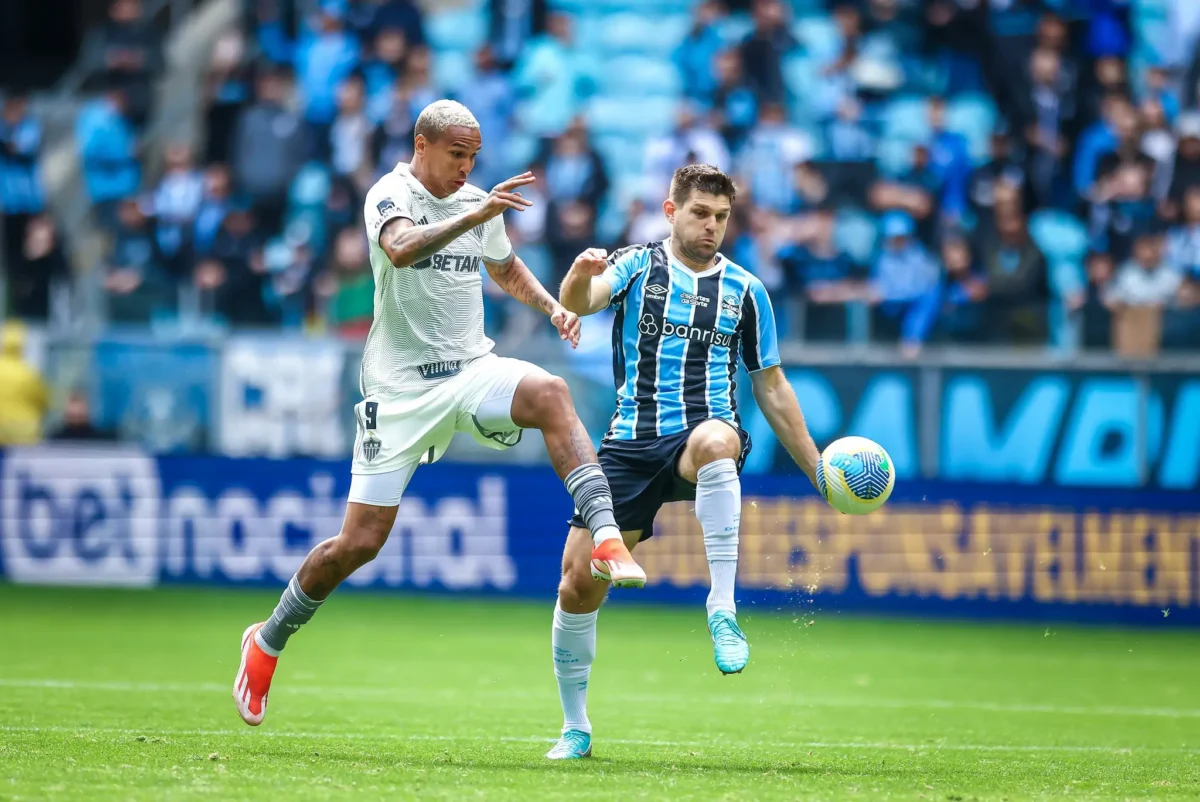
[{"x": 971, "y": 171}]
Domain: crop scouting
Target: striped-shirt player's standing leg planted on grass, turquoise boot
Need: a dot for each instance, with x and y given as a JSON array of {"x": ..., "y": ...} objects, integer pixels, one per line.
[{"x": 574, "y": 641}]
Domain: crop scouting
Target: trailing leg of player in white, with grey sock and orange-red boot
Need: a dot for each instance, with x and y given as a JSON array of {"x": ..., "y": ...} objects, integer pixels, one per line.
[{"x": 365, "y": 530}]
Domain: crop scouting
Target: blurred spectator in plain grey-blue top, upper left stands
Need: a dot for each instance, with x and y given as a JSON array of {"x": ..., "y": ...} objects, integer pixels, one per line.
[{"x": 271, "y": 146}]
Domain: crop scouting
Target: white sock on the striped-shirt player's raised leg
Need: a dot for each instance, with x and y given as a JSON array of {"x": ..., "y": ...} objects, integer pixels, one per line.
[{"x": 719, "y": 511}]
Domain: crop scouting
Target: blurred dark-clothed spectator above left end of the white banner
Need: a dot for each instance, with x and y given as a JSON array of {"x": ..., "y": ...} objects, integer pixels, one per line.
[{"x": 231, "y": 279}]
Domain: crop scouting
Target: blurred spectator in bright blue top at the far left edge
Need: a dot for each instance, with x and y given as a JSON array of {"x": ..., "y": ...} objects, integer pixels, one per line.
[{"x": 22, "y": 196}]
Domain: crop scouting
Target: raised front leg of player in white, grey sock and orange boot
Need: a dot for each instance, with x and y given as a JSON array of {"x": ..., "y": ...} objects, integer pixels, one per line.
[{"x": 544, "y": 402}]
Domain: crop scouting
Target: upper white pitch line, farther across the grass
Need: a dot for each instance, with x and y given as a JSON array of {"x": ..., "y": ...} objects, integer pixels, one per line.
[{"x": 343, "y": 692}]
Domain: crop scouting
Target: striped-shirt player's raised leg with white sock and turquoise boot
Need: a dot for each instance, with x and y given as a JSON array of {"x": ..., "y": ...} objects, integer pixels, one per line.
[{"x": 710, "y": 462}]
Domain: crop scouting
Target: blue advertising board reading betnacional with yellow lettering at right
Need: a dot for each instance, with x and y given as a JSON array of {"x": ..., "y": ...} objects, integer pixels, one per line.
[{"x": 75, "y": 516}]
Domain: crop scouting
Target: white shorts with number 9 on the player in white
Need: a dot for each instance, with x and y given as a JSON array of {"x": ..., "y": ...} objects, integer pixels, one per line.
[{"x": 399, "y": 433}]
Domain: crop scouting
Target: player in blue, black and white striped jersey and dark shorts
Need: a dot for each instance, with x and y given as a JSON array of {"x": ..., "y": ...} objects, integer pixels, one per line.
[{"x": 685, "y": 315}]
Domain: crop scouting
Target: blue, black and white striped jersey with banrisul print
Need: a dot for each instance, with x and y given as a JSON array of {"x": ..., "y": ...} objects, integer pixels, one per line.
[{"x": 677, "y": 338}]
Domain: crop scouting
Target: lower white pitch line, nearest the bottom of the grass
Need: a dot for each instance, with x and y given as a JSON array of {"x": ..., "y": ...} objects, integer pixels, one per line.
[{"x": 633, "y": 743}]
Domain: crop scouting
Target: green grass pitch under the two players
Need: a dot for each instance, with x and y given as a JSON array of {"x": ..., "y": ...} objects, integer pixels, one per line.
[{"x": 125, "y": 696}]
